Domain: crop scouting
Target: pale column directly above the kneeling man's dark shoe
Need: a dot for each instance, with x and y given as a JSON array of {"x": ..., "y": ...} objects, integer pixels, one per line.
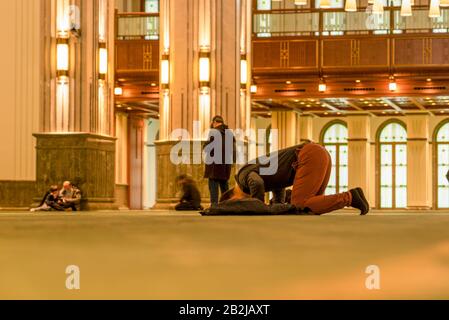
[{"x": 359, "y": 152}]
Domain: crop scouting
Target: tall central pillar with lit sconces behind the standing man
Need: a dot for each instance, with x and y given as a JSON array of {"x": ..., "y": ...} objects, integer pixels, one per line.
[{"x": 209, "y": 32}]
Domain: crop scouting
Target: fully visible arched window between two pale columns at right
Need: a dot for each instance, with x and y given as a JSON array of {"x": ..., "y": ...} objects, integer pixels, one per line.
[{"x": 393, "y": 166}]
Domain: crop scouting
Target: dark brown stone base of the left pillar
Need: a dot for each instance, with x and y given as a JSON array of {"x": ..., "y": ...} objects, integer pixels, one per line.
[{"x": 87, "y": 160}]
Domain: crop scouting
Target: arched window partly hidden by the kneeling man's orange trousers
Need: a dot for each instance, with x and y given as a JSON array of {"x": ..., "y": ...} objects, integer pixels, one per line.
[{"x": 335, "y": 139}]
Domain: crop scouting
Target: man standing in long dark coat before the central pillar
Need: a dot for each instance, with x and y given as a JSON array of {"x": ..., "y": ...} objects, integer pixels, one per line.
[{"x": 219, "y": 154}]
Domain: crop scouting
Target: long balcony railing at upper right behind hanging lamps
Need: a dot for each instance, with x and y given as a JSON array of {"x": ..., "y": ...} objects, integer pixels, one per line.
[{"x": 337, "y": 22}]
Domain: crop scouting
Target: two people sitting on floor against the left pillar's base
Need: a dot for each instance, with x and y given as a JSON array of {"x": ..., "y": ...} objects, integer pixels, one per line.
[{"x": 67, "y": 198}]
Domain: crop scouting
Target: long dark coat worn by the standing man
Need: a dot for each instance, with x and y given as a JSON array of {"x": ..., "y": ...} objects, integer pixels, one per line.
[{"x": 220, "y": 169}]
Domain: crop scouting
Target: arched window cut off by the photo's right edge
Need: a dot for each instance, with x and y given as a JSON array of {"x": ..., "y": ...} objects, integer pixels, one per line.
[{"x": 442, "y": 147}]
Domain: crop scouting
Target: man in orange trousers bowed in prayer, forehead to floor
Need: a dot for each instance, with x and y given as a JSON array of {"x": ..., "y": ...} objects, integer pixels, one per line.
[{"x": 307, "y": 168}]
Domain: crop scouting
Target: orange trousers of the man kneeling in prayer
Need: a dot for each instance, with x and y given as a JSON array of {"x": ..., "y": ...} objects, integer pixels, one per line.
[{"x": 312, "y": 177}]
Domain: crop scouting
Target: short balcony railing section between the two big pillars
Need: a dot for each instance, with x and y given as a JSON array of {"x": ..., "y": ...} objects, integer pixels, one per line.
[{"x": 137, "y": 26}]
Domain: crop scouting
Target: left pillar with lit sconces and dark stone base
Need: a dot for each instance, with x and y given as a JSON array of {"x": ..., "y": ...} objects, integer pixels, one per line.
[{"x": 76, "y": 139}]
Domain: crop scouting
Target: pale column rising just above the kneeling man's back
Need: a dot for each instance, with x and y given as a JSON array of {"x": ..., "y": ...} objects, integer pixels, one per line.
[{"x": 286, "y": 128}]
